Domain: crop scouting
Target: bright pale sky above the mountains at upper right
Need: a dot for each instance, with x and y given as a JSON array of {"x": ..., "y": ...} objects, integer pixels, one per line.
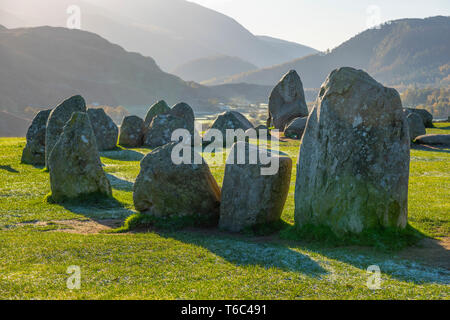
[{"x": 321, "y": 24}]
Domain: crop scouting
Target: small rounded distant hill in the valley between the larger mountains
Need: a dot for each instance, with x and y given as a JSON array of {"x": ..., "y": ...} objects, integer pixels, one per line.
[{"x": 212, "y": 68}]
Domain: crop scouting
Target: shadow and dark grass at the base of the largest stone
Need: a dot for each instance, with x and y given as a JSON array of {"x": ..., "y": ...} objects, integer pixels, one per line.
[{"x": 383, "y": 248}]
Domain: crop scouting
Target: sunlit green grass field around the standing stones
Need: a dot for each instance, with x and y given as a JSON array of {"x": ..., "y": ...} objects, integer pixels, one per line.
[{"x": 39, "y": 241}]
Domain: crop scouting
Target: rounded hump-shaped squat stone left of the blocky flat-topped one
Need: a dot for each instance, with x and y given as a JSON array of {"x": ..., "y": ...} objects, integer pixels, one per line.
[{"x": 165, "y": 189}]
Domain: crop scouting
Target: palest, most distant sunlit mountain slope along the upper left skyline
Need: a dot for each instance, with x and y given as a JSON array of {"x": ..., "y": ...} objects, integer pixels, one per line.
[{"x": 173, "y": 32}]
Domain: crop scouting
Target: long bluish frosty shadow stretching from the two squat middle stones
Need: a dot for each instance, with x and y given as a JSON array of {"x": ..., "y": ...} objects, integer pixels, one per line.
[{"x": 246, "y": 252}]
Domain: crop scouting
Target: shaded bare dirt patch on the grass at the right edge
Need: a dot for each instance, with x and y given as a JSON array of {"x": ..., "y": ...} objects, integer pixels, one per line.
[{"x": 432, "y": 252}]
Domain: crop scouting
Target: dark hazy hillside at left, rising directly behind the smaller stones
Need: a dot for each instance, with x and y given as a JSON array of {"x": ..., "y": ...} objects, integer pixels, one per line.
[{"x": 41, "y": 66}]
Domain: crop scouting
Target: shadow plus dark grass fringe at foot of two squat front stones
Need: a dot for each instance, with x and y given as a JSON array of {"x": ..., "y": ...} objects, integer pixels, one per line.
[{"x": 236, "y": 249}]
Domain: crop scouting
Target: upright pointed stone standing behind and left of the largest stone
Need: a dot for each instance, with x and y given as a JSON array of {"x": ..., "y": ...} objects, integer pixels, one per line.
[{"x": 287, "y": 101}]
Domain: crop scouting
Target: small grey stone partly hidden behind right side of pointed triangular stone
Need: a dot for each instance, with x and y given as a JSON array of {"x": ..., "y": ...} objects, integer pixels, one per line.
[{"x": 105, "y": 130}]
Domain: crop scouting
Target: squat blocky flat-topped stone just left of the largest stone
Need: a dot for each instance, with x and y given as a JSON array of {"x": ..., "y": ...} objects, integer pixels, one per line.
[{"x": 249, "y": 198}]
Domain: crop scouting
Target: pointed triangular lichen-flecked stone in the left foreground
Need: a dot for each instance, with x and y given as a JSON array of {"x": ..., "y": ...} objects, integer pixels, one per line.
[{"x": 74, "y": 162}]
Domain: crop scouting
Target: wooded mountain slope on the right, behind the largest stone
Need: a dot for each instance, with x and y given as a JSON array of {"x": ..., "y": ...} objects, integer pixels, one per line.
[{"x": 407, "y": 51}]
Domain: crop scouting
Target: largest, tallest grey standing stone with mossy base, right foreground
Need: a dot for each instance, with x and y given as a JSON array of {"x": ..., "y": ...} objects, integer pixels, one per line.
[{"x": 353, "y": 166}]
